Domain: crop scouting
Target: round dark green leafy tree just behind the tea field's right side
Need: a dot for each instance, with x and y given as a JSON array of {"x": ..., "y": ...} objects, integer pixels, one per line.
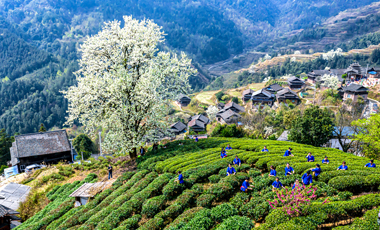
[{"x": 314, "y": 127}]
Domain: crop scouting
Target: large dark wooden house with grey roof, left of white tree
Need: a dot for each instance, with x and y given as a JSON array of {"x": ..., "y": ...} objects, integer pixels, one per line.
[{"x": 36, "y": 148}]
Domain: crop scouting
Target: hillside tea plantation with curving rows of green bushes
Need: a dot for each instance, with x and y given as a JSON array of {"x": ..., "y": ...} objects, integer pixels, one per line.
[{"x": 150, "y": 198}]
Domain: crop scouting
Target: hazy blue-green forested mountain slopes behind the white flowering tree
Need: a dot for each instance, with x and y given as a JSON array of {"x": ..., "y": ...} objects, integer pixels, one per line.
[{"x": 39, "y": 41}]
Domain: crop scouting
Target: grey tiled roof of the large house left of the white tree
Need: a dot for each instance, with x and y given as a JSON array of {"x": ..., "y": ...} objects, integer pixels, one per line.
[{"x": 42, "y": 143}]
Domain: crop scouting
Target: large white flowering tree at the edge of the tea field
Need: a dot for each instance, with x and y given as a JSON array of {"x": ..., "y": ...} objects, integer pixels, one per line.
[{"x": 125, "y": 84}]
